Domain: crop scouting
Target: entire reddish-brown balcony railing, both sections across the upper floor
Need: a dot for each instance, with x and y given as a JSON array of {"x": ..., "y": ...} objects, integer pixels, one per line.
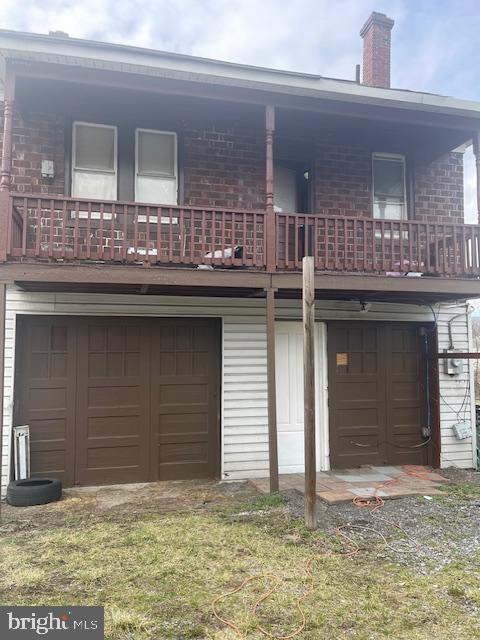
[{"x": 59, "y": 229}]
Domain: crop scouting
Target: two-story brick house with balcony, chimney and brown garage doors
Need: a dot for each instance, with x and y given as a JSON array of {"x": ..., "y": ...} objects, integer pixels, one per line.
[{"x": 154, "y": 212}]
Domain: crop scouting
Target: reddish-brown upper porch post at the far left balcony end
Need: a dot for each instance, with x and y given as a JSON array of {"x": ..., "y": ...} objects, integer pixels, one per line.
[{"x": 6, "y": 162}]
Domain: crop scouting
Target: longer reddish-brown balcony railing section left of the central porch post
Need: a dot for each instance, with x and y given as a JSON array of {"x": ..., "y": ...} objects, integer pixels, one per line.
[{"x": 78, "y": 229}]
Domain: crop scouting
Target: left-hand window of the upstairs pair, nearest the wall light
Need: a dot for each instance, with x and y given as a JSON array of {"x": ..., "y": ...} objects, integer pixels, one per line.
[{"x": 94, "y": 161}]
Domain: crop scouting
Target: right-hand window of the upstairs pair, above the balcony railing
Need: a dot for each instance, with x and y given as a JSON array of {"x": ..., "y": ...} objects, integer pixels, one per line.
[{"x": 156, "y": 167}]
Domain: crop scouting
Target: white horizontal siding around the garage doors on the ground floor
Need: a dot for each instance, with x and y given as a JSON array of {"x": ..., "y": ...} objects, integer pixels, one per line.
[{"x": 244, "y": 367}]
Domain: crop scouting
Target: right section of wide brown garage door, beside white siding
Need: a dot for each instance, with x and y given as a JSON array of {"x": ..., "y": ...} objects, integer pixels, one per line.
[{"x": 184, "y": 398}]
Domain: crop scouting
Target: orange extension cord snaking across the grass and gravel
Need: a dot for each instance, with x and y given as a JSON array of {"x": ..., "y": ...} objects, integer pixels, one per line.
[{"x": 375, "y": 503}]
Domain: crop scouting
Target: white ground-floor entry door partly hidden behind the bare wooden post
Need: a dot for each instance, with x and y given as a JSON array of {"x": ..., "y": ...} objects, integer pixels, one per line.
[{"x": 289, "y": 378}]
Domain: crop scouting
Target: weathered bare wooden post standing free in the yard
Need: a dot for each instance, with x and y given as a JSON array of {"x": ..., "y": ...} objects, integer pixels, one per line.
[{"x": 309, "y": 391}]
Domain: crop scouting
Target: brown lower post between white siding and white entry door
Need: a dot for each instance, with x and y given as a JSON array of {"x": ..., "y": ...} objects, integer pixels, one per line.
[{"x": 272, "y": 392}]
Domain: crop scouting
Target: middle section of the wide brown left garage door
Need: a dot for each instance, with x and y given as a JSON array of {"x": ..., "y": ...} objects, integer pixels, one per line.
[{"x": 109, "y": 389}]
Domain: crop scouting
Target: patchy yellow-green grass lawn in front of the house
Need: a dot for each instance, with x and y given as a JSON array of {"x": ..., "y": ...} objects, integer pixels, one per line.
[{"x": 156, "y": 574}]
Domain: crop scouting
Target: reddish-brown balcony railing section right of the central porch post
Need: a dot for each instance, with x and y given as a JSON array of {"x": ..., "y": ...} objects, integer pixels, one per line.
[{"x": 378, "y": 246}]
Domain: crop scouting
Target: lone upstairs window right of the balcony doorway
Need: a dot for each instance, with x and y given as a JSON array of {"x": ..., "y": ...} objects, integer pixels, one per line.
[{"x": 389, "y": 188}]
